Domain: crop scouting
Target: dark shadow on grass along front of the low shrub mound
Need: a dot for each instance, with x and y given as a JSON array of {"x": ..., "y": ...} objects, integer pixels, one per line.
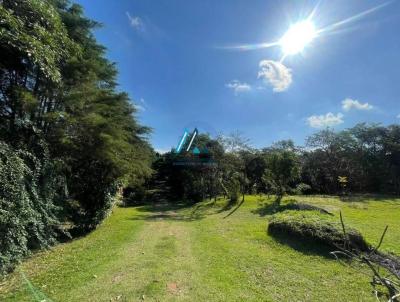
[{"x": 303, "y": 245}]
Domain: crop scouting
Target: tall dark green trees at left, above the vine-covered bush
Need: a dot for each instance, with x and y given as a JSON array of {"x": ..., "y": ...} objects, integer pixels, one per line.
[{"x": 58, "y": 88}]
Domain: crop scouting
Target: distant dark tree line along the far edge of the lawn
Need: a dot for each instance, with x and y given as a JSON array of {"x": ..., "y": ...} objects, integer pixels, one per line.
[{"x": 362, "y": 159}]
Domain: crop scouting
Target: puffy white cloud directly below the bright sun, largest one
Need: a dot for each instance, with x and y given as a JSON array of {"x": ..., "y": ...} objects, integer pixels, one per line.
[{"x": 275, "y": 74}]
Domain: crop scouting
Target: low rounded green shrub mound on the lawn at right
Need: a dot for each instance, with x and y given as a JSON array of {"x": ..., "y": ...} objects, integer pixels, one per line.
[{"x": 313, "y": 226}]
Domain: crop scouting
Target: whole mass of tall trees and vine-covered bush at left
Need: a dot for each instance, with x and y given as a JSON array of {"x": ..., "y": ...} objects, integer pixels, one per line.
[{"x": 68, "y": 138}]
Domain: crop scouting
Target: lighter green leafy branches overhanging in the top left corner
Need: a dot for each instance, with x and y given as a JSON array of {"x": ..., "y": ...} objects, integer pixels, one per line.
[{"x": 32, "y": 35}]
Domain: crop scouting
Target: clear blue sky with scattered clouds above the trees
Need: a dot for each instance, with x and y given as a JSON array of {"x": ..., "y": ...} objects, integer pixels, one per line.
[{"x": 188, "y": 64}]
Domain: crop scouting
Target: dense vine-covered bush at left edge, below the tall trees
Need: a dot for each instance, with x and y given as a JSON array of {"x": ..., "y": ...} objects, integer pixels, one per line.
[{"x": 28, "y": 215}]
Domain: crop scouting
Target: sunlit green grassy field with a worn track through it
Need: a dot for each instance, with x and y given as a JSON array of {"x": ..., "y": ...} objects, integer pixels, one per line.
[{"x": 203, "y": 253}]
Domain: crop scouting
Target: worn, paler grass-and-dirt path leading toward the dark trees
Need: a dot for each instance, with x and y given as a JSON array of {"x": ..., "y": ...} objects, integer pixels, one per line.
[{"x": 157, "y": 266}]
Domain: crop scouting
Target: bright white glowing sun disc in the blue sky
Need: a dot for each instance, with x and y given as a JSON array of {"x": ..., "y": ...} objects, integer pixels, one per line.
[{"x": 297, "y": 37}]
